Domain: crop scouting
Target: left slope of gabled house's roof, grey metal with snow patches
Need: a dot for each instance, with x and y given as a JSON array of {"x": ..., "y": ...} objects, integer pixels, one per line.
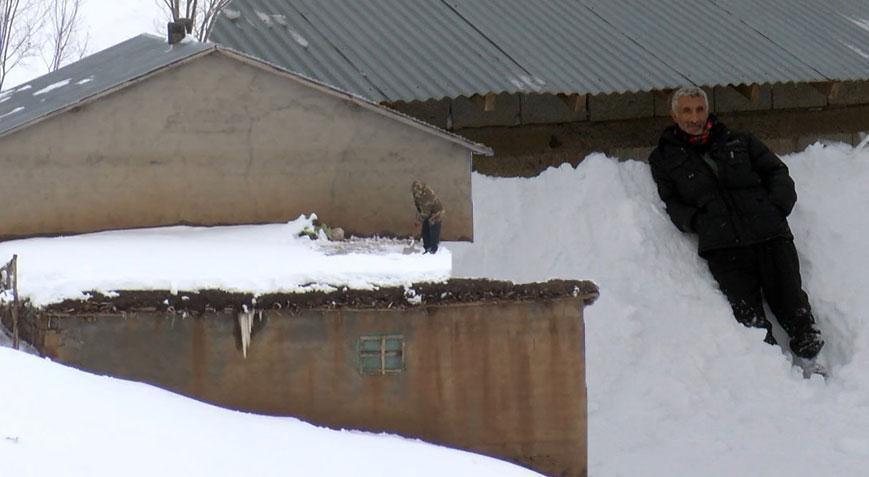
[{"x": 88, "y": 77}]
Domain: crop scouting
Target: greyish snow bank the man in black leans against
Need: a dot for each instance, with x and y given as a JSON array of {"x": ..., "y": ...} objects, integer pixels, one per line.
[{"x": 676, "y": 386}]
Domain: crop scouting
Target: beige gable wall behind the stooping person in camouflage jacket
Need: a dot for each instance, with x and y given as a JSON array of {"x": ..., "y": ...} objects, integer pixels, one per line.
[{"x": 221, "y": 141}]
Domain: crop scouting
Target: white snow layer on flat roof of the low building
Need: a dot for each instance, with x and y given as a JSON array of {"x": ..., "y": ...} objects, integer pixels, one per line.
[{"x": 259, "y": 259}]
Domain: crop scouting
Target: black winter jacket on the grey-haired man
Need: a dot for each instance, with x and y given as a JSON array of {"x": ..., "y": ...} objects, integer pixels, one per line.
[{"x": 744, "y": 202}]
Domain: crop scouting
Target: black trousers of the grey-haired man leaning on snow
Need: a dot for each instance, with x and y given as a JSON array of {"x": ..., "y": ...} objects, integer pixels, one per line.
[{"x": 769, "y": 270}]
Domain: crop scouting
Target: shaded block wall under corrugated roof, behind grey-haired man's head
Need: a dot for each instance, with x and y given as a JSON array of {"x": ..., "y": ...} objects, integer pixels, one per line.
[{"x": 532, "y": 132}]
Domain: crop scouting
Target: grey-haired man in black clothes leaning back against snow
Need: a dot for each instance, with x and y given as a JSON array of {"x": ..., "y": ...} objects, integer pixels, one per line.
[{"x": 729, "y": 189}]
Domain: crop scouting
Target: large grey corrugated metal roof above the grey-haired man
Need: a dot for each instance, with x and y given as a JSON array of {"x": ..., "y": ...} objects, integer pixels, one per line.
[{"x": 407, "y": 50}]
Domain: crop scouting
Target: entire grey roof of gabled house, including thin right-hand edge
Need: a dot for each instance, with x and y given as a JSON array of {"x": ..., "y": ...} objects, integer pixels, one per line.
[{"x": 132, "y": 60}]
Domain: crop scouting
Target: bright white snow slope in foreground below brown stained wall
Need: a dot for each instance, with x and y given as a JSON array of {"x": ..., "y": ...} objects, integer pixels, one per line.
[{"x": 58, "y": 421}]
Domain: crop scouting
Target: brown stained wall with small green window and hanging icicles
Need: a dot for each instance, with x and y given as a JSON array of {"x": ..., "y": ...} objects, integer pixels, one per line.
[{"x": 504, "y": 379}]
